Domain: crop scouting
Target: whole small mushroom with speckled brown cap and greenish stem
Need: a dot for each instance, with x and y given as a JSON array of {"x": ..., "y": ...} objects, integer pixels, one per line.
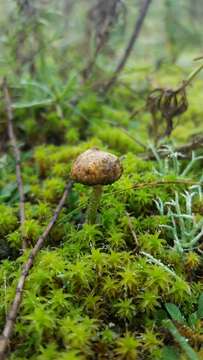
[{"x": 96, "y": 168}]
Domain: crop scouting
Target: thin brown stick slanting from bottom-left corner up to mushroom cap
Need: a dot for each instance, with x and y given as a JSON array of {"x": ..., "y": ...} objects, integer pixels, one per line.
[{"x": 11, "y": 318}]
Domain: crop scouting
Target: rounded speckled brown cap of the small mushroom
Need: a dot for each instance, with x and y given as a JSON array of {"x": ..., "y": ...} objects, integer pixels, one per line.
[{"x": 95, "y": 167}]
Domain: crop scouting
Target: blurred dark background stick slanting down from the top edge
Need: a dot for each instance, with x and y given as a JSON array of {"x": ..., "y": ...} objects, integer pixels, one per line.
[{"x": 138, "y": 25}]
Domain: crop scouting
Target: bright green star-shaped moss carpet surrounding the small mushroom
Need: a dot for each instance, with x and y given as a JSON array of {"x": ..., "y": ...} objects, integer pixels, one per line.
[{"x": 96, "y": 289}]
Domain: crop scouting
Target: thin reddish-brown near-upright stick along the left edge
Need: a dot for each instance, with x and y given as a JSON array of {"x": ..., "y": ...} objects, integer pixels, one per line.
[{"x": 16, "y": 153}]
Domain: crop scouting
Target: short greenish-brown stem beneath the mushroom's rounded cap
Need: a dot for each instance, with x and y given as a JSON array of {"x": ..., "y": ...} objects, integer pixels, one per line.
[{"x": 94, "y": 204}]
